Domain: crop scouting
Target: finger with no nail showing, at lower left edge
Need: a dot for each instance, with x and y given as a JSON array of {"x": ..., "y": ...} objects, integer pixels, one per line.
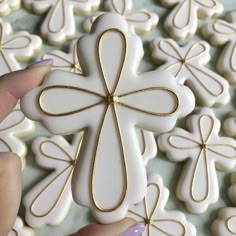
[{"x": 10, "y": 189}]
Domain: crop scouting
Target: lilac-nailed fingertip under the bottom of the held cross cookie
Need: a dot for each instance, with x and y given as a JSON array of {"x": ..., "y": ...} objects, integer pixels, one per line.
[{"x": 126, "y": 227}]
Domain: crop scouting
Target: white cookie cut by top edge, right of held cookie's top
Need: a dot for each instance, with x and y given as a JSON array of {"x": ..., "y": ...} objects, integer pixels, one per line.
[{"x": 182, "y": 22}]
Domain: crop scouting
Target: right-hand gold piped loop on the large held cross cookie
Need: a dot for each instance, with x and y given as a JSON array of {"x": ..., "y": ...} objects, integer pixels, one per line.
[{"x": 146, "y": 111}]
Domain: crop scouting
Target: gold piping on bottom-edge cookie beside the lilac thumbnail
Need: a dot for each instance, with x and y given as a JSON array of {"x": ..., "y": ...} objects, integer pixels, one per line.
[{"x": 148, "y": 218}]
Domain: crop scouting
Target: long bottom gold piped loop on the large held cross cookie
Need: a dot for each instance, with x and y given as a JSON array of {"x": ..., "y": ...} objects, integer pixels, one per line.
[{"x": 119, "y": 204}]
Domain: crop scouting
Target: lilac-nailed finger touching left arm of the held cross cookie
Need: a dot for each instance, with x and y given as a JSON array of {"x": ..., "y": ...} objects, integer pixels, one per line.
[{"x": 16, "y": 84}]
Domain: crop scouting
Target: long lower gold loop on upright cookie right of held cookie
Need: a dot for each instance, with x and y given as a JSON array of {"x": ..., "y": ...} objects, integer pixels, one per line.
[{"x": 193, "y": 182}]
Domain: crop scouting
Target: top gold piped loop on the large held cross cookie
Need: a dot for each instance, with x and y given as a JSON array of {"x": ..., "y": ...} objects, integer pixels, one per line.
[{"x": 121, "y": 65}]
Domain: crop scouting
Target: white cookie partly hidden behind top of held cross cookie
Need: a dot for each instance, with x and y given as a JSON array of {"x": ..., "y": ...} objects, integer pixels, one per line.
[{"x": 141, "y": 21}]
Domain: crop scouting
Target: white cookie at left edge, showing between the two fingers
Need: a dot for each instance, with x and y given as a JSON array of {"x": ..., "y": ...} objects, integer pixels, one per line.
[{"x": 15, "y": 125}]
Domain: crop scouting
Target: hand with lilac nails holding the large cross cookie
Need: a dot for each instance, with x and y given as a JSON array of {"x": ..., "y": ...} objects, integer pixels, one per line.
[{"x": 13, "y": 86}]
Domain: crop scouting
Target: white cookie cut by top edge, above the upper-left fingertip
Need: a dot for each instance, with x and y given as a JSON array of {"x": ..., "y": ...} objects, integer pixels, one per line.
[{"x": 59, "y": 24}]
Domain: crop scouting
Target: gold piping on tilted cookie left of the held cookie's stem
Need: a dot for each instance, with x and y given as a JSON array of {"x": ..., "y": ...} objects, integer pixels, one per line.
[{"x": 71, "y": 164}]
